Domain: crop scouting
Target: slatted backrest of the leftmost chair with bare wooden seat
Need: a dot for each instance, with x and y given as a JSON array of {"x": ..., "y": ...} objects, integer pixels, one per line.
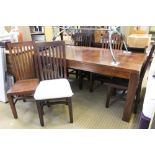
[{"x": 22, "y": 60}]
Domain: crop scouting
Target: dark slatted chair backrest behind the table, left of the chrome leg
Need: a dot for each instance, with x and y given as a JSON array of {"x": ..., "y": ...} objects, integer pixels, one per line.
[{"x": 83, "y": 39}]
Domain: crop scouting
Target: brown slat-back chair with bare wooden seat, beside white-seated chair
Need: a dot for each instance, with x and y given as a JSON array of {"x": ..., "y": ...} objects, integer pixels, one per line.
[{"x": 22, "y": 61}]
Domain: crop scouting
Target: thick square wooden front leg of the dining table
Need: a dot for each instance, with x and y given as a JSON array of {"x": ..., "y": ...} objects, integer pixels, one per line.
[{"x": 132, "y": 86}]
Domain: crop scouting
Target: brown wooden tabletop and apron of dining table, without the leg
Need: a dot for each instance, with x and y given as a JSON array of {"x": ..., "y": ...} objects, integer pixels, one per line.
[{"x": 99, "y": 60}]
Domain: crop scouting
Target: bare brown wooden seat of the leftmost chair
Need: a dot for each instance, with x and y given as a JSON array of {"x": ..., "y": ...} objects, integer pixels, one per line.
[{"x": 24, "y": 86}]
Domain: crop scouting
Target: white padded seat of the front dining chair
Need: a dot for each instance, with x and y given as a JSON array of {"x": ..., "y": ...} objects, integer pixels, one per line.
[{"x": 53, "y": 89}]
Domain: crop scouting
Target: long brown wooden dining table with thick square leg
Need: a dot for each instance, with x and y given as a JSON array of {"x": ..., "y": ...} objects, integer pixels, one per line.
[{"x": 99, "y": 60}]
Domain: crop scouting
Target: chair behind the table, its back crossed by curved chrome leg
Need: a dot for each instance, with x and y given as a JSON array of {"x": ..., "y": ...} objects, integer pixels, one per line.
[{"x": 117, "y": 43}]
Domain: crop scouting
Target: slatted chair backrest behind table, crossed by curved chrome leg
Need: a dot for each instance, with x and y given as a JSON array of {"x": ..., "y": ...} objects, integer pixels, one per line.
[{"x": 116, "y": 40}]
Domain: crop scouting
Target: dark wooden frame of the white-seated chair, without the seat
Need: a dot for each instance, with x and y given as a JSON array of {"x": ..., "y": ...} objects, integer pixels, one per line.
[{"x": 51, "y": 57}]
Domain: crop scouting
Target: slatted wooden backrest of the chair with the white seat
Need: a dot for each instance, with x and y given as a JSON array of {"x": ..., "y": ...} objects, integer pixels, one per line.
[{"x": 51, "y": 60}]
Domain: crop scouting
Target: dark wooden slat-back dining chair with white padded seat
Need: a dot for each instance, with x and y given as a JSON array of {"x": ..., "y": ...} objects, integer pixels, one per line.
[{"x": 54, "y": 88}]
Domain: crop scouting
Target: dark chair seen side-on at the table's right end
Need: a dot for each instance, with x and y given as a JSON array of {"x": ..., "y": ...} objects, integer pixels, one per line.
[{"x": 122, "y": 84}]
